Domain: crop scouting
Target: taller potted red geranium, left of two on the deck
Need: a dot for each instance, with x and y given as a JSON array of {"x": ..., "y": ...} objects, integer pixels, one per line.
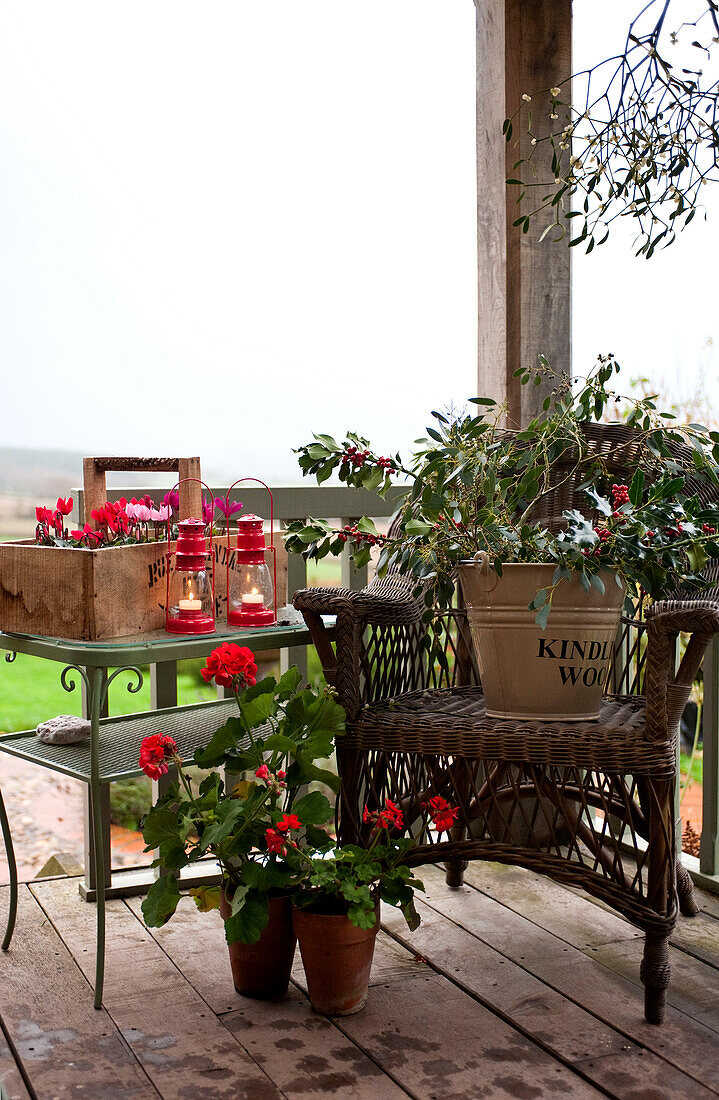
[{"x": 247, "y": 824}]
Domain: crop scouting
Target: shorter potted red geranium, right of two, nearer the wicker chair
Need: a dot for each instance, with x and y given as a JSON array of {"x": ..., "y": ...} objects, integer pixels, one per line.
[{"x": 337, "y": 907}]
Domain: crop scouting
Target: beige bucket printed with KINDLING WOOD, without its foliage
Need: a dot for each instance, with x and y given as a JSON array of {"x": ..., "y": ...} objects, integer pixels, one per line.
[{"x": 558, "y": 674}]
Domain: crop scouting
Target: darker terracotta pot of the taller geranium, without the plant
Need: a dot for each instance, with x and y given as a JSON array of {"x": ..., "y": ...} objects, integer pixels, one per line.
[{"x": 263, "y": 970}]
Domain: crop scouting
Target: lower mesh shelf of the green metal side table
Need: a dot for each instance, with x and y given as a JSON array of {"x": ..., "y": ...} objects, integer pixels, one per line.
[{"x": 120, "y": 740}]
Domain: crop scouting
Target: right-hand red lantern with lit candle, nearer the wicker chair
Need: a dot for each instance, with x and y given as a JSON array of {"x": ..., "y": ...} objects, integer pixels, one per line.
[{"x": 251, "y": 588}]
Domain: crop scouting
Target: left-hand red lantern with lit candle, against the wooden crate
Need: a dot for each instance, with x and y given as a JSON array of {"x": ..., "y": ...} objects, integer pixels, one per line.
[{"x": 190, "y": 607}]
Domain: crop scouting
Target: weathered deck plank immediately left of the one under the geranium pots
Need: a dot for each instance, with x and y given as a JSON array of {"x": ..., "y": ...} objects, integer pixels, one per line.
[{"x": 175, "y": 1037}]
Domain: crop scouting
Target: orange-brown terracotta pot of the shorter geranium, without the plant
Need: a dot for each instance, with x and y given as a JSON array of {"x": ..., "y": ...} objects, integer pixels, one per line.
[{"x": 337, "y": 958}]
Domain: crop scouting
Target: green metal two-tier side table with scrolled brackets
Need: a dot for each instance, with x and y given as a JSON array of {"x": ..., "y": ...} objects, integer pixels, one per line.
[{"x": 113, "y": 751}]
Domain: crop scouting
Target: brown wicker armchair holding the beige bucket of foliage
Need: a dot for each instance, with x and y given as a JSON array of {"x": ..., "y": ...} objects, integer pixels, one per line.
[{"x": 591, "y": 804}]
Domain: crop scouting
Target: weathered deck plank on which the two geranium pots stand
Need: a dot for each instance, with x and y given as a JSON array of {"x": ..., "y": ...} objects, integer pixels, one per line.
[{"x": 303, "y": 1053}]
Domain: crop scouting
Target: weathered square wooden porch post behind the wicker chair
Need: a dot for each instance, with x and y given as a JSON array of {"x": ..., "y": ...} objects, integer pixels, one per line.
[{"x": 524, "y": 48}]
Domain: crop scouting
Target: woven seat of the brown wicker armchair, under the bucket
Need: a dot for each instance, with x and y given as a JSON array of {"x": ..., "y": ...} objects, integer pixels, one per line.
[{"x": 453, "y": 722}]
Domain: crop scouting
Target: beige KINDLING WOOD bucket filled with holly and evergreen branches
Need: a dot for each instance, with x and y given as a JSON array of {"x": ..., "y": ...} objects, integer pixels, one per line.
[{"x": 558, "y": 522}]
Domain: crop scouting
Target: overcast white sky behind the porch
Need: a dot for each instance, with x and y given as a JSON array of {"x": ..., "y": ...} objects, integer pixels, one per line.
[{"x": 226, "y": 226}]
